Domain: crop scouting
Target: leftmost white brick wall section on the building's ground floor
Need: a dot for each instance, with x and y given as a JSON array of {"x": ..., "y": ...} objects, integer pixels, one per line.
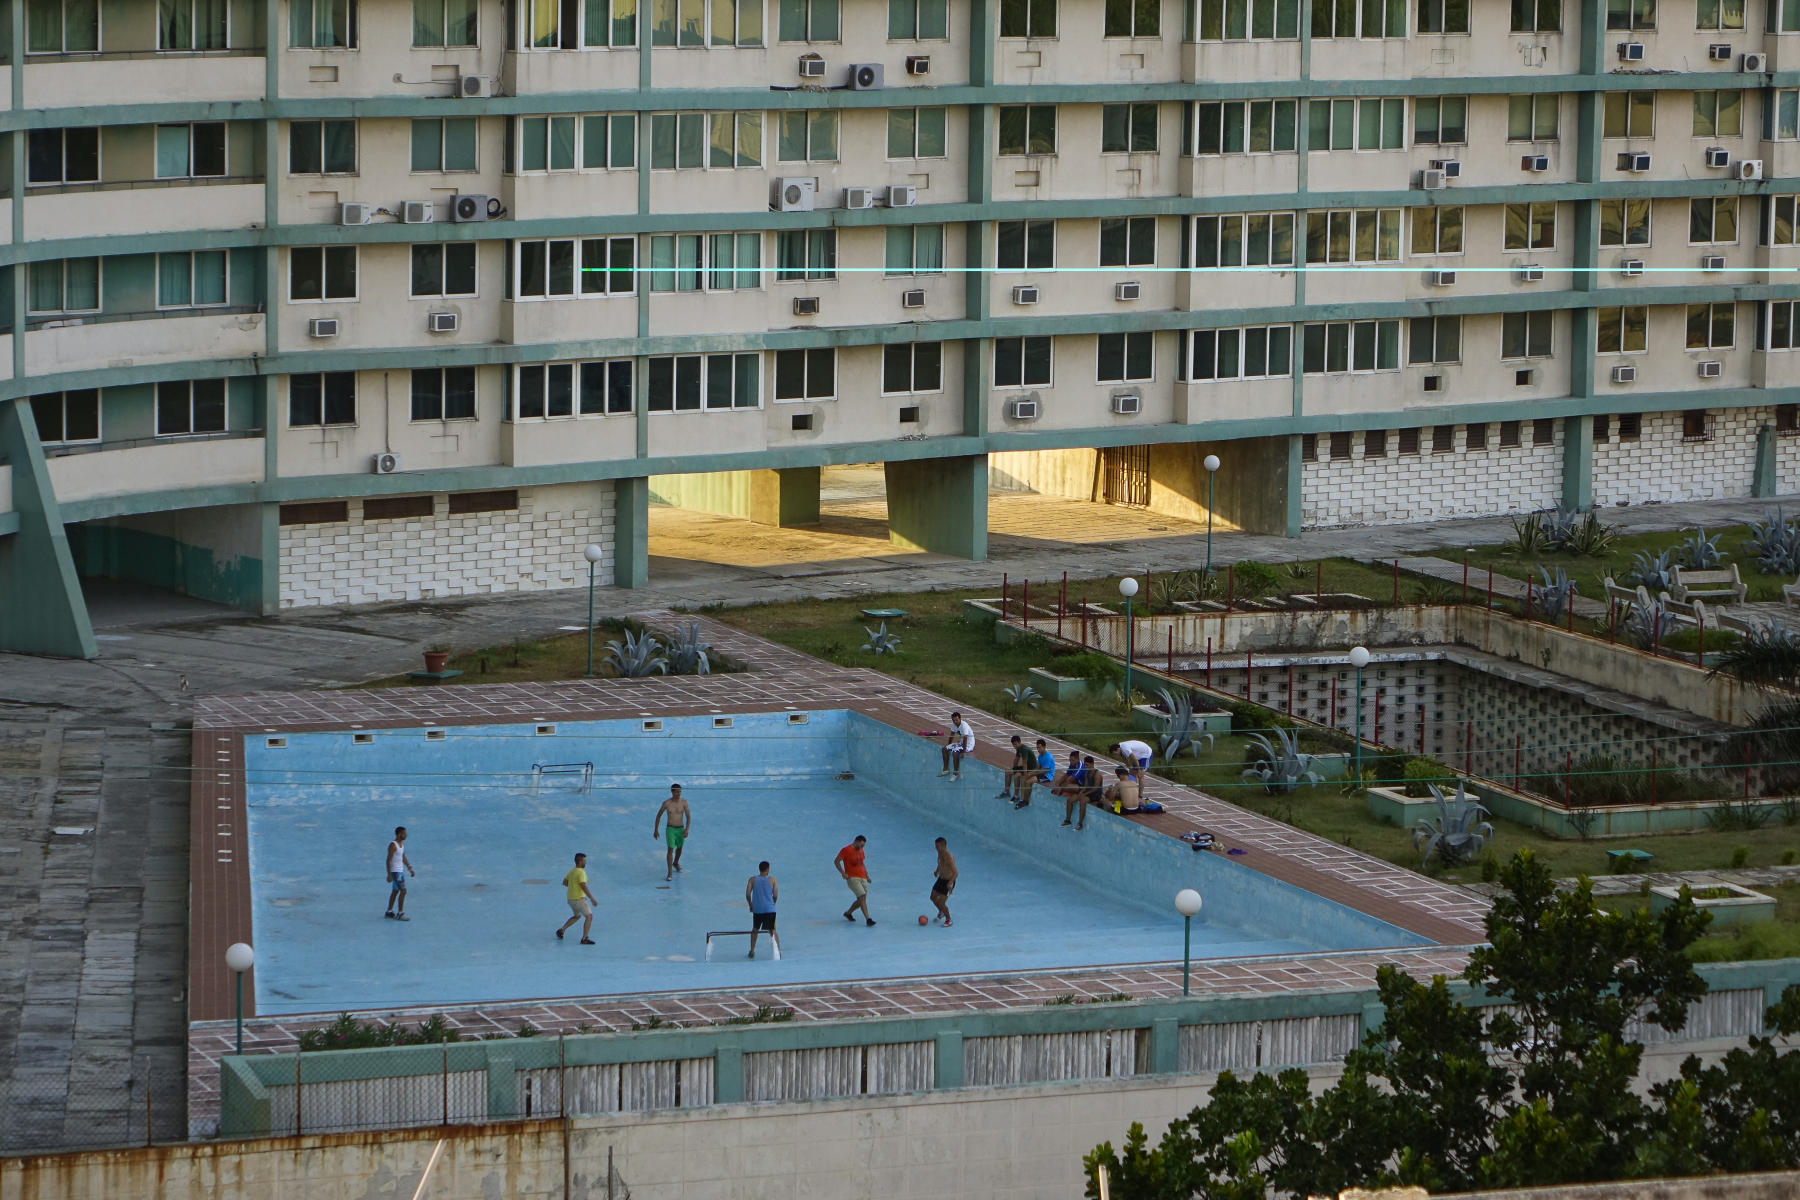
[{"x": 532, "y": 550}]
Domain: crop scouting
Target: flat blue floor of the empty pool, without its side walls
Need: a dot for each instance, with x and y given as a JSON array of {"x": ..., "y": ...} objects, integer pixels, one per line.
[{"x": 487, "y": 897}]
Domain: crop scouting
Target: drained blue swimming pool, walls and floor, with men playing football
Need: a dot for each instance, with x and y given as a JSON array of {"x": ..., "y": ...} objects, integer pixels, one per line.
[{"x": 492, "y": 839}]
